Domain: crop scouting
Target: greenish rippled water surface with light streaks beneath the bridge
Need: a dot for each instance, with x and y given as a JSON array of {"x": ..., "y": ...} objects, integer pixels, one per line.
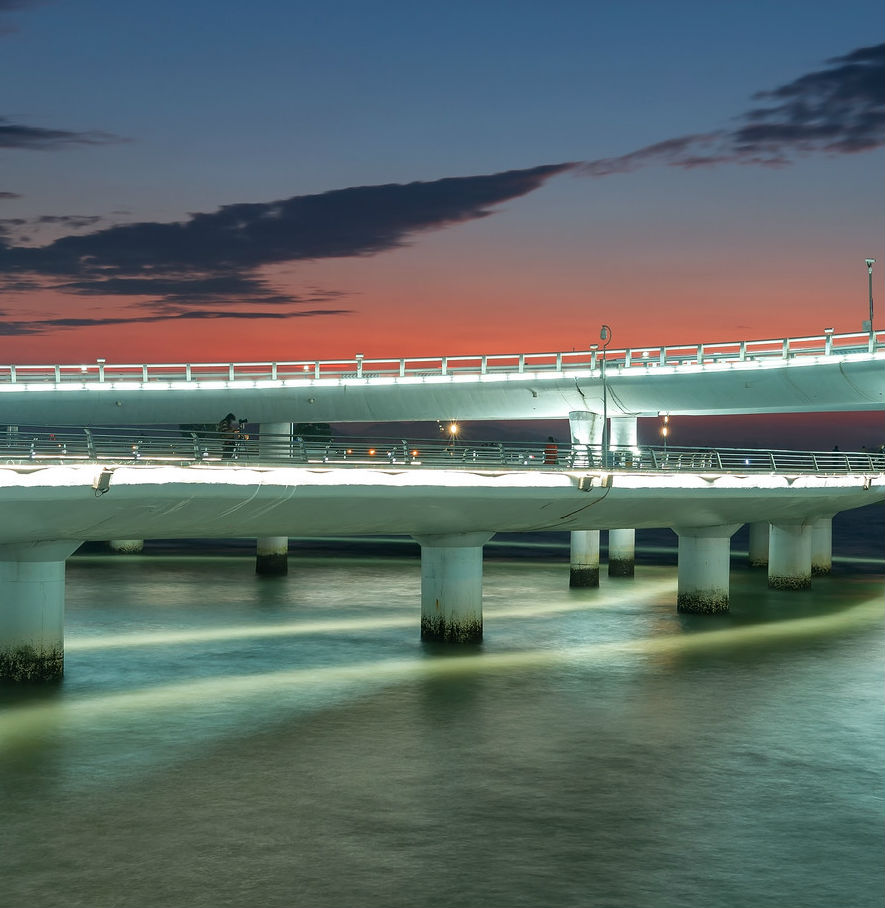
[{"x": 221, "y": 739}]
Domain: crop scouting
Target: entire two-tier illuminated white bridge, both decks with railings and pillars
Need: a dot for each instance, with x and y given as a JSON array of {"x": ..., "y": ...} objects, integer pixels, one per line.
[{"x": 69, "y": 485}]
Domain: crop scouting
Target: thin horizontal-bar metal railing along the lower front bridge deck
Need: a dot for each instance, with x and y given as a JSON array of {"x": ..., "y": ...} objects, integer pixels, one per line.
[{"x": 41, "y": 446}]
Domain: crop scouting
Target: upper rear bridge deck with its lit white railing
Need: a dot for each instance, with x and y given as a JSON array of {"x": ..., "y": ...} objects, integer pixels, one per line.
[{"x": 830, "y": 373}]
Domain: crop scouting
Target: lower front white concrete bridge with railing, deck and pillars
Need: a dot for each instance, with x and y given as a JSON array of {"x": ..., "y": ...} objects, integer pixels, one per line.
[{"x": 58, "y": 494}]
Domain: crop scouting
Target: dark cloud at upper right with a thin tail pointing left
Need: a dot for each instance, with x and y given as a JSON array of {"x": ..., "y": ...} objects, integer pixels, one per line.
[{"x": 836, "y": 110}]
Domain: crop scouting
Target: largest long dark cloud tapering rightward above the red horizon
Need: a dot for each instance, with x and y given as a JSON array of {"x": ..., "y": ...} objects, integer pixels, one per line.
[{"x": 215, "y": 256}]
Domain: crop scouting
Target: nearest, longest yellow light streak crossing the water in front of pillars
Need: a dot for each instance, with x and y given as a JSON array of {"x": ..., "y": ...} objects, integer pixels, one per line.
[{"x": 24, "y": 723}]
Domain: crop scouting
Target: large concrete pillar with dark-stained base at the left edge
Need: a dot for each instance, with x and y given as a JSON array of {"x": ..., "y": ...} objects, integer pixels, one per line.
[{"x": 32, "y": 609}]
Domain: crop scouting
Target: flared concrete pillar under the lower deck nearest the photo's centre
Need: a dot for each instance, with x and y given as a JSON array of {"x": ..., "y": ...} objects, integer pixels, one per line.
[{"x": 451, "y": 586}]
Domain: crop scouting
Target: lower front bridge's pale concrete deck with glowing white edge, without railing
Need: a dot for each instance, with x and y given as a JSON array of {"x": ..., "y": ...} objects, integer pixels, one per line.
[{"x": 59, "y": 502}]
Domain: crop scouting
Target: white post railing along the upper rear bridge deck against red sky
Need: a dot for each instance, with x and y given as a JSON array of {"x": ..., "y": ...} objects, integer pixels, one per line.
[{"x": 363, "y": 368}]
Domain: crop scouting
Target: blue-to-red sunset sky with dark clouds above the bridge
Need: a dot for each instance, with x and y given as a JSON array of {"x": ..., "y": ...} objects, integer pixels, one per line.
[{"x": 211, "y": 180}]
